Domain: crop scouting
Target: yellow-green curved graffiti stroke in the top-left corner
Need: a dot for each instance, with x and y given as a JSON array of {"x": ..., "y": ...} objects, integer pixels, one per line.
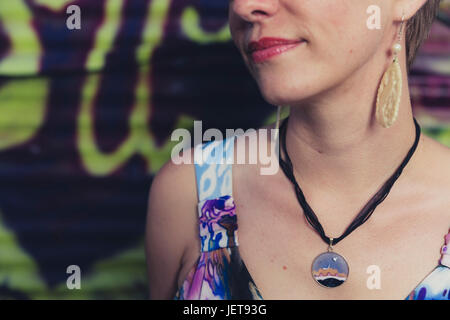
[{"x": 26, "y": 50}]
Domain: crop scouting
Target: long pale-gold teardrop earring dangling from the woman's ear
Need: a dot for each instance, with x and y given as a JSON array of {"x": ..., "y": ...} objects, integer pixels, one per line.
[{"x": 390, "y": 89}]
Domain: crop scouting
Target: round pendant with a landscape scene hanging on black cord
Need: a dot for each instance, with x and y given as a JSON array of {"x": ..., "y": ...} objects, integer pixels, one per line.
[{"x": 330, "y": 269}]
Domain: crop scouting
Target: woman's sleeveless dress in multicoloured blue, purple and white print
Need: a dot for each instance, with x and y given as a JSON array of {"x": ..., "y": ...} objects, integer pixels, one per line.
[{"x": 220, "y": 273}]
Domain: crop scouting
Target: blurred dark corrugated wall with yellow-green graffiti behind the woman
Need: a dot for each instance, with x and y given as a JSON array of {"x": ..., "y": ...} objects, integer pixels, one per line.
[{"x": 85, "y": 122}]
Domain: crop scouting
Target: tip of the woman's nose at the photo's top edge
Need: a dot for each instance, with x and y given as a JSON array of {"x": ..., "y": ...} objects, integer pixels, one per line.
[{"x": 254, "y": 10}]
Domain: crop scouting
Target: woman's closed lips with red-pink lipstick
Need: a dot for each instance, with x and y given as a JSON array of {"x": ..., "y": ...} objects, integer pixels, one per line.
[{"x": 267, "y": 48}]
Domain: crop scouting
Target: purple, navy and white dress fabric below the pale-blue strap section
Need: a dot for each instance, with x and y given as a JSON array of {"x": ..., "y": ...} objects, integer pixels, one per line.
[{"x": 219, "y": 272}]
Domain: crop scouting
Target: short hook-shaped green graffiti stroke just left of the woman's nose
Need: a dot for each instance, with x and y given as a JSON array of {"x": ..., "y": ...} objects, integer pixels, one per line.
[{"x": 190, "y": 24}]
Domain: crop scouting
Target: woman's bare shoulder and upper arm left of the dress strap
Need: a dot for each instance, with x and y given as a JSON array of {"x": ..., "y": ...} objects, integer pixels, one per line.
[{"x": 171, "y": 226}]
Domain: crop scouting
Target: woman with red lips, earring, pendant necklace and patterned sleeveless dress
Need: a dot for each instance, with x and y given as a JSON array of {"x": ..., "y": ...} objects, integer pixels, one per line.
[{"x": 348, "y": 136}]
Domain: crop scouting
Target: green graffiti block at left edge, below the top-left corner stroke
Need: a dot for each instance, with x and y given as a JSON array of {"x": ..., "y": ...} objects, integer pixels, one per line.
[{"x": 22, "y": 110}]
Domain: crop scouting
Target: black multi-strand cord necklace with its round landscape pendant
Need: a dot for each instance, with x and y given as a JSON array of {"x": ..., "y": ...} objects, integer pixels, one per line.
[{"x": 330, "y": 269}]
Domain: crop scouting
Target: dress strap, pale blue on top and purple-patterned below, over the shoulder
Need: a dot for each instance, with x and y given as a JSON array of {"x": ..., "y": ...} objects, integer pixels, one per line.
[{"x": 216, "y": 208}]
